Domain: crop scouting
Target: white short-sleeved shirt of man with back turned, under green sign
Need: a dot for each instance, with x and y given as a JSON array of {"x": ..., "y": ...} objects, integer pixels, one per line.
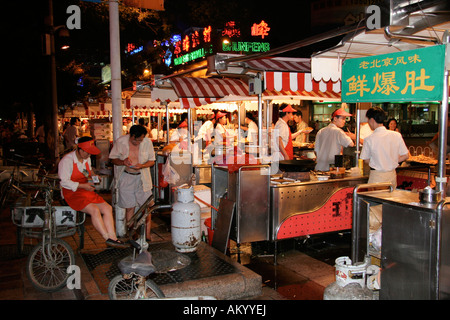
[{"x": 382, "y": 148}]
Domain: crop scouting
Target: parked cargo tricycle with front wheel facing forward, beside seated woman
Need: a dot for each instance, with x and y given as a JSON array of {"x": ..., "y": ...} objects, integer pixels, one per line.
[{"x": 48, "y": 261}]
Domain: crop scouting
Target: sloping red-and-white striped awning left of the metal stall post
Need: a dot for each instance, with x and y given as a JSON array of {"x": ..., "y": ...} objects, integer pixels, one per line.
[{"x": 194, "y": 92}]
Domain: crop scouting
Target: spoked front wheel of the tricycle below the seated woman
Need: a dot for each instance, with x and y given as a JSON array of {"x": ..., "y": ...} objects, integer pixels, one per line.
[{"x": 47, "y": 265}]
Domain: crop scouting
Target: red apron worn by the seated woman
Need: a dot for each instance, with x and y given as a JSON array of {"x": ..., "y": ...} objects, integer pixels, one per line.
[{"x": 79, "y": 199}]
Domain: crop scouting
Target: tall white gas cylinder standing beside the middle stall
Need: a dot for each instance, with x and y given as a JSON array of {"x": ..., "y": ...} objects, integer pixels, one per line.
[{"x": 185, "y": 221}]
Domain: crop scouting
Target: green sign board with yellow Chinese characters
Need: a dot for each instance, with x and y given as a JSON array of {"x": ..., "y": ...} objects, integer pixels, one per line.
[{"x": 415, "y": 75}]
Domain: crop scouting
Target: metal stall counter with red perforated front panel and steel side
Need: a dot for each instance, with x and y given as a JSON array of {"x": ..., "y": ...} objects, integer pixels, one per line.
[{"x": 267, "y": 211}]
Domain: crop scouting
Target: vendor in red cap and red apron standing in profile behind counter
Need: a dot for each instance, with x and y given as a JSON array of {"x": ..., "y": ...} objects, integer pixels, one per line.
[{"x": 282, "y": 138}]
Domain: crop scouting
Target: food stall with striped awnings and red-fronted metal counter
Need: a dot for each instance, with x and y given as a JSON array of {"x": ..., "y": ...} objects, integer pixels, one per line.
[{"x": 292, "y": 203}]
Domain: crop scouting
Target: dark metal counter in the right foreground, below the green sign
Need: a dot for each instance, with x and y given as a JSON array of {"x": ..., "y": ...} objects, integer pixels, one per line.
[{"x": 415, "y": 256}]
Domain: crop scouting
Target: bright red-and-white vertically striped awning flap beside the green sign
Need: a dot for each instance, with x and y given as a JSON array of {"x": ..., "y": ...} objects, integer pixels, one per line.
[{"x": 299, "y": 85}]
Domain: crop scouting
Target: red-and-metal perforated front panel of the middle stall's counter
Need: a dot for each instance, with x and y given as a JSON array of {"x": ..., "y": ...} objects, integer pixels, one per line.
[{"x": 312, "y": 207}]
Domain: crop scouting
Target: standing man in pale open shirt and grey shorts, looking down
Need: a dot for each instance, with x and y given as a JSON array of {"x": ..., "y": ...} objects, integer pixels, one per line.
[{"x": 133, "y": 155}]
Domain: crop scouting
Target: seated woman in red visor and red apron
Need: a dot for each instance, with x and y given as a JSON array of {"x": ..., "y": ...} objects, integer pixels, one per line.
[{"x": 74, "y": 170}]
